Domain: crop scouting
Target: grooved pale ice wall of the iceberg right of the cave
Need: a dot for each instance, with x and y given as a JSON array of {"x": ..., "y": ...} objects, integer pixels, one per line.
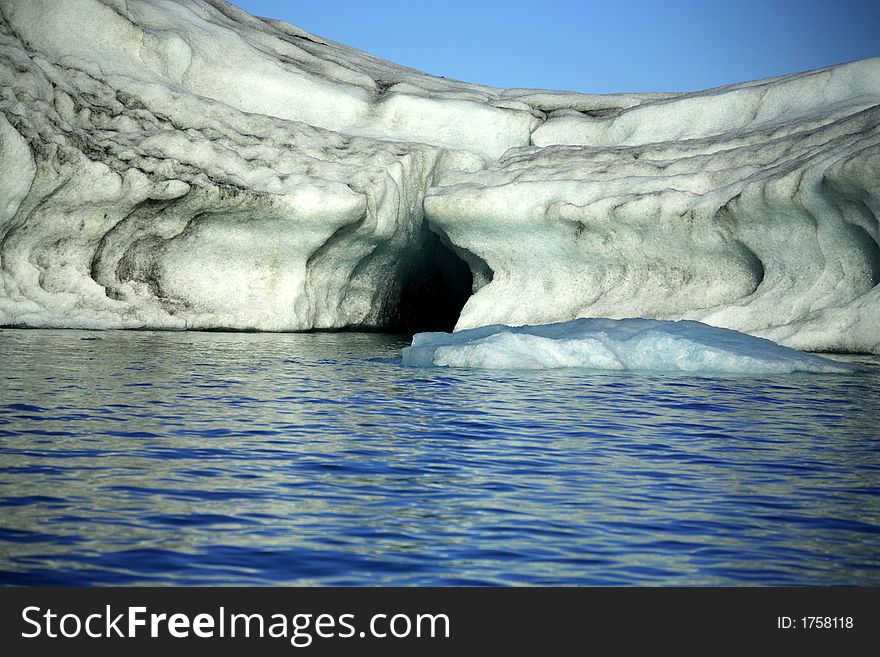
[{"x": 752, "y": 207}]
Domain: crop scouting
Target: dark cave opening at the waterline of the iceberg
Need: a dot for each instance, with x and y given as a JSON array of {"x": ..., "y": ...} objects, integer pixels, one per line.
[{"x": 433, "y": 291}]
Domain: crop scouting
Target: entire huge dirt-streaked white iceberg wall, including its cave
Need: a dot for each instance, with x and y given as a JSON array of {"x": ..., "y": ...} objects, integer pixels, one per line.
[{"x": 186, "y": 165}]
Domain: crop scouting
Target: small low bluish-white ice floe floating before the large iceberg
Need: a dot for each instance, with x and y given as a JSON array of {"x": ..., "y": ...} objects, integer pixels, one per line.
[{"x": 607, "y": 344}]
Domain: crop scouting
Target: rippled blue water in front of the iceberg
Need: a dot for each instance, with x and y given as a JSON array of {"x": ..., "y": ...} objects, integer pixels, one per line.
[{"x": 216, "y": 458}]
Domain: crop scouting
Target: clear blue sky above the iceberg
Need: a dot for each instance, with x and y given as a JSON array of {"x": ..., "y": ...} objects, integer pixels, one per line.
[{"x": 606, "y": 46}]
